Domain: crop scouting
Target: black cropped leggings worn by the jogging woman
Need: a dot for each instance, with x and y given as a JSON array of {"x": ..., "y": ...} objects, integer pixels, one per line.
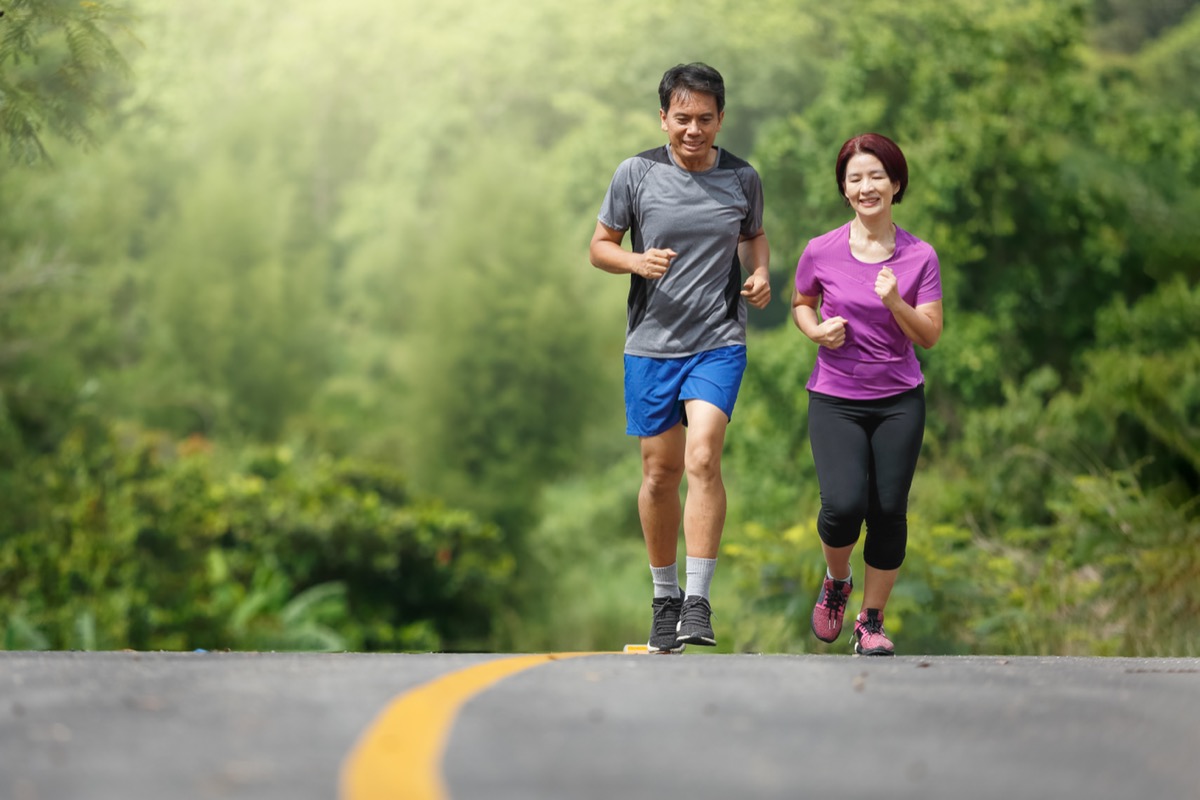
[{"x": 866, "y": 454}]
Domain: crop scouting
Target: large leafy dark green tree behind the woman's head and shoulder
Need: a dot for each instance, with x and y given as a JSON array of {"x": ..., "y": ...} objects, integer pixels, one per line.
[{"x": 1016, "y": 164}]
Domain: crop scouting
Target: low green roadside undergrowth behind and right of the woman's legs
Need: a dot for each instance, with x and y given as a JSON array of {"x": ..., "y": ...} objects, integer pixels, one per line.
[{"x": 1023, "y": 536}]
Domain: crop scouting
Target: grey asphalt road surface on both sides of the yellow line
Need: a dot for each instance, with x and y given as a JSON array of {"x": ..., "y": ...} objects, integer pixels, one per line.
[{"x": 79, "y": 726}]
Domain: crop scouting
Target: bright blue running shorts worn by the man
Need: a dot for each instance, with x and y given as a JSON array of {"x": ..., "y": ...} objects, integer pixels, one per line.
[{"x": 656, "y": 389}]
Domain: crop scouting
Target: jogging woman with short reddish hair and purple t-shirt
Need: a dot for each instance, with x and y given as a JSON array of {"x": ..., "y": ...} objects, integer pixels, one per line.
[{"x": 879, "y": 292}]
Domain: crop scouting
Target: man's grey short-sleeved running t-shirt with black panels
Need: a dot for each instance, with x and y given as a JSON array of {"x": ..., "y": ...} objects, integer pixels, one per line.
[{"x": 698, "y": 305}]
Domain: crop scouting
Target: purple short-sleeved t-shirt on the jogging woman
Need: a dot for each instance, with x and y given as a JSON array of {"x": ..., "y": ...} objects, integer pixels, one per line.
[{"x": 878, "y": 360}]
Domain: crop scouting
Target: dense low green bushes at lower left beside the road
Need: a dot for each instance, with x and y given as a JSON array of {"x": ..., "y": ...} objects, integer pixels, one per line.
[{"x": 139, "y": 542}]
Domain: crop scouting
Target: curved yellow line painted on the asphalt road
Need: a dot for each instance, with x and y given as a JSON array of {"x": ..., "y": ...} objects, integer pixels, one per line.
[{"x": 400, "y": 755}]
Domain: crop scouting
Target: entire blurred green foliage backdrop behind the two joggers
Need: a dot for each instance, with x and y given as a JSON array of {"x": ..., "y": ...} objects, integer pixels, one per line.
[{"x": 363, "y": 227}]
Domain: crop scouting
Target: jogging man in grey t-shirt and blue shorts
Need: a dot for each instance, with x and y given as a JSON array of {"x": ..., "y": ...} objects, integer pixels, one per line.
[{"x": 695, "y": 213}]
